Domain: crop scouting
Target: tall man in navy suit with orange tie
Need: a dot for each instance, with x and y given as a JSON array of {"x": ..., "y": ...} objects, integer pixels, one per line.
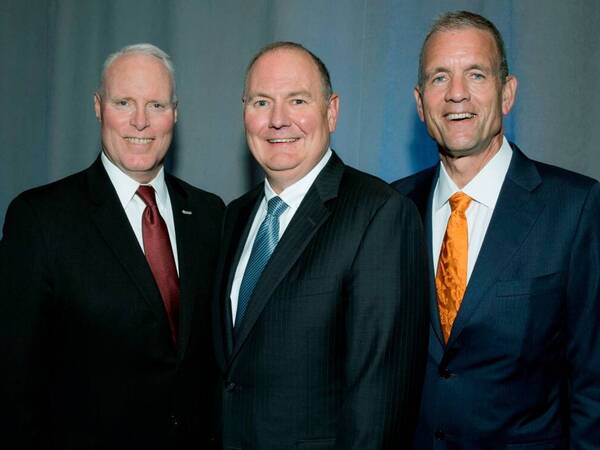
[{"x": 514, "y": 348}]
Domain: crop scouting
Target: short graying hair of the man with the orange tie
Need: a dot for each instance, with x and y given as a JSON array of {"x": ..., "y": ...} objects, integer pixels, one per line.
[{"x": 456, "y": 20}]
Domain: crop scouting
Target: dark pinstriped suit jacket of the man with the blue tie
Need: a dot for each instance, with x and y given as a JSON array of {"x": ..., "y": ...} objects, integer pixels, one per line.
[{"x": 331, "y": 350}]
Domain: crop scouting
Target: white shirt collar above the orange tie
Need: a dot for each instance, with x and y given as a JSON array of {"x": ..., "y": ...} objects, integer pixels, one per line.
[{"x": 485, "y": 187}]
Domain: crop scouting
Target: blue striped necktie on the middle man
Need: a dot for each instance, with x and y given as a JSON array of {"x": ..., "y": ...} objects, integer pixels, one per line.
[{"x": 264, "y": 244}]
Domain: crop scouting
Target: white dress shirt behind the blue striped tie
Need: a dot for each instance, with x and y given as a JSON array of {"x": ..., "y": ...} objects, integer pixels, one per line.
[{"x": 292, "y": 196}]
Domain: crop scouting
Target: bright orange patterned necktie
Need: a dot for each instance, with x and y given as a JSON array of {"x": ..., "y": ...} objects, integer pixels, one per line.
[{"x": 451, "y": 277}]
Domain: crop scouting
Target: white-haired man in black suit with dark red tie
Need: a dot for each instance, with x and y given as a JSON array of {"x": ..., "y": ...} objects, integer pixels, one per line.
[{"x": 106, "y": 280}]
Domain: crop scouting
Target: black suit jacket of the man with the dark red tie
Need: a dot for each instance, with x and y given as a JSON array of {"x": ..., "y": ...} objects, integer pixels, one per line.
[{"x": 87, "y": 362}]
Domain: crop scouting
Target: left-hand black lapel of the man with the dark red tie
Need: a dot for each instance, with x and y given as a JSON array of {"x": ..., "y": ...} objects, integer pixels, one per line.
[{"x": 112, "y": 223}]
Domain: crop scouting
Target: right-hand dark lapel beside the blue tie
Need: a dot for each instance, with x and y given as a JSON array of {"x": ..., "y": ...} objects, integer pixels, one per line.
[{"x": 310, "y": 216}]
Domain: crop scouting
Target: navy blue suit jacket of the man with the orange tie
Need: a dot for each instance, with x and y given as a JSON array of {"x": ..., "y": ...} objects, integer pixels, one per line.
[{"x": 521, "y": 369}]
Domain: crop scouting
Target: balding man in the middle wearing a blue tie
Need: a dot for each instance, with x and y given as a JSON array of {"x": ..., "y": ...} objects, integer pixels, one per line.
[{"x": 320, "y": 322}]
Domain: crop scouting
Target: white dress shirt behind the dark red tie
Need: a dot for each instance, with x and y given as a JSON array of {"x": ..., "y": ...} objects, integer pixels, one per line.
[{"x": 134, "y": 206}]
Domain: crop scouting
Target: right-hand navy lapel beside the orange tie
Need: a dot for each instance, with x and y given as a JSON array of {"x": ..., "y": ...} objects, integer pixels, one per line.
[{"x": 512, "y": 221}]
